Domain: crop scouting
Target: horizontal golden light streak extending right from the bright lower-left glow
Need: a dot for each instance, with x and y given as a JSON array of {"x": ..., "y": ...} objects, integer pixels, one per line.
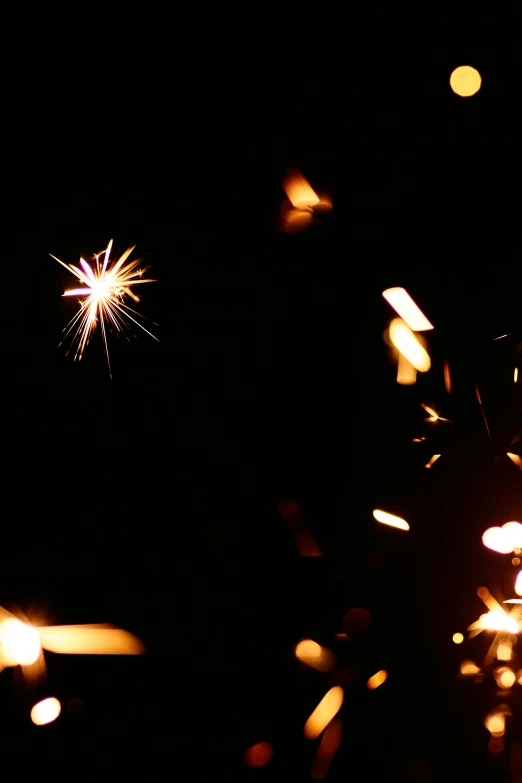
[{"x": 103, "y": 639}]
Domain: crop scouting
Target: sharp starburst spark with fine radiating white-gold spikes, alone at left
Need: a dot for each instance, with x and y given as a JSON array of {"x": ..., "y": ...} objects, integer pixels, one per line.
[{"x": 105, "y": 286}]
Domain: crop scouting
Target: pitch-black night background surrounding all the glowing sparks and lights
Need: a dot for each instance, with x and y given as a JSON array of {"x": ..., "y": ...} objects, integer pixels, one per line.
[{"x": 151, "y": 500}]
